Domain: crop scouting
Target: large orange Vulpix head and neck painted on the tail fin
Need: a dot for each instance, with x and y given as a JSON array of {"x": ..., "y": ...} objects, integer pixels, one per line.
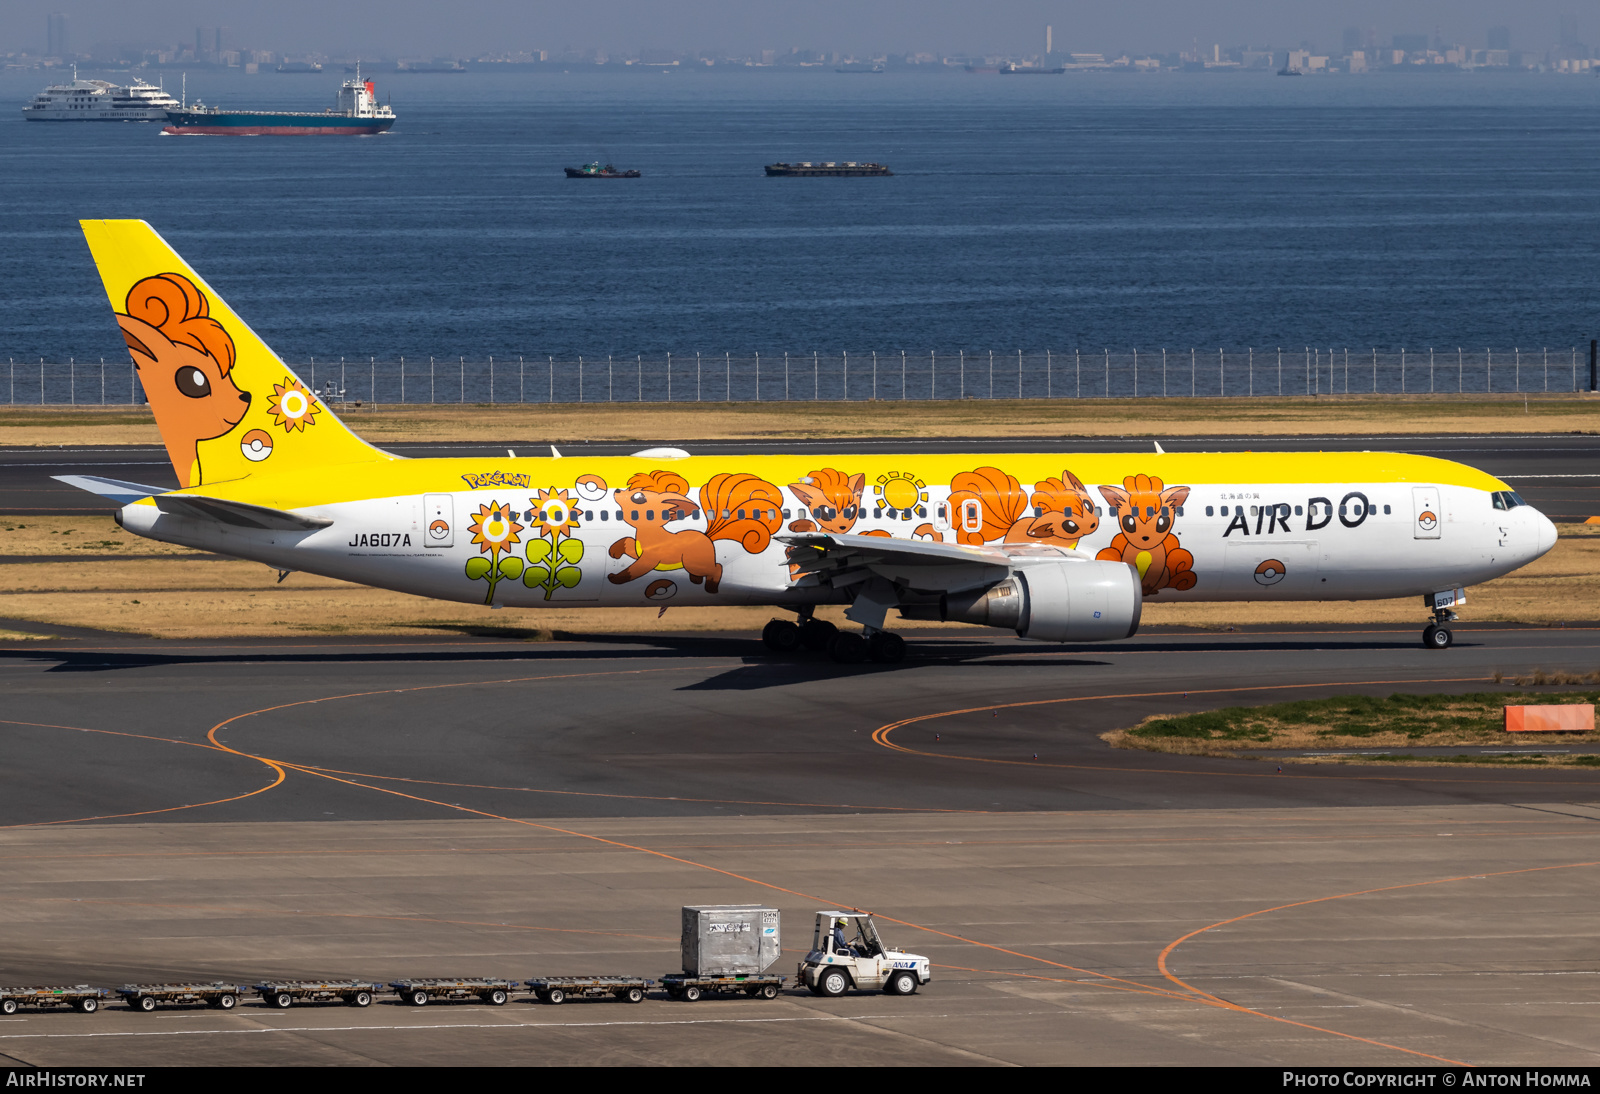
[{"x": 185, "y": 359}]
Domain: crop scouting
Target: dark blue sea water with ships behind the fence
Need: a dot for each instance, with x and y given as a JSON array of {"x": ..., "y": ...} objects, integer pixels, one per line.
[{"x": 1036, "y": 214}]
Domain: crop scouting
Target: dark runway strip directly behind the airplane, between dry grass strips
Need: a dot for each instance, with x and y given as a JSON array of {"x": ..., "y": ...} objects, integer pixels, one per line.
[{"x": 1551, "y": 471}]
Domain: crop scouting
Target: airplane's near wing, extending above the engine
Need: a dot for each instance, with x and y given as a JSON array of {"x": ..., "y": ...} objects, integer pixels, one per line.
[{"x": 842, "y": 561}]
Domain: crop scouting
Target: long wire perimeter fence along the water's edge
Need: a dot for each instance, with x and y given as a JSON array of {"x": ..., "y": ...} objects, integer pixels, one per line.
[{"x": 698, "y": 378}]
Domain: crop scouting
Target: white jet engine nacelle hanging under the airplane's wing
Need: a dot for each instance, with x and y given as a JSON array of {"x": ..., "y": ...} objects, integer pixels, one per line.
[{"x": 1057, "y": 602}]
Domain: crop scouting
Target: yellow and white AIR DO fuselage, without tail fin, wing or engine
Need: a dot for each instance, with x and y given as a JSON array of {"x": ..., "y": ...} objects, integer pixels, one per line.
[{"x": 631, "y": 532}]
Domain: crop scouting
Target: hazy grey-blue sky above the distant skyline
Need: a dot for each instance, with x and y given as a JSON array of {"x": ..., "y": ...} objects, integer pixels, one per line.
[{"x": 476, "y": 26}]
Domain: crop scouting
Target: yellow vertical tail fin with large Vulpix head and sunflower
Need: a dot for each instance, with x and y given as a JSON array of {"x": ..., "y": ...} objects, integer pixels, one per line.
[{"x": 225, "y": 404}]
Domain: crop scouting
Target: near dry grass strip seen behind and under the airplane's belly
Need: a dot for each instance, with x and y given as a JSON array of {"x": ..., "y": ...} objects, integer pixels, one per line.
[{"x": 84, "y": 572}]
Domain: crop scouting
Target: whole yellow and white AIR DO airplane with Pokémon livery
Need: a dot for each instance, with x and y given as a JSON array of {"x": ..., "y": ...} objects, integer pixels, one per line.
[{"x": 1054, "y": 548}]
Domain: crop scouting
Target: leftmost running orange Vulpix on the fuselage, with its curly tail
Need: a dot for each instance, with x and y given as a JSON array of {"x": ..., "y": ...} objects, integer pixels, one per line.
[{"x": 738, "y": 508}]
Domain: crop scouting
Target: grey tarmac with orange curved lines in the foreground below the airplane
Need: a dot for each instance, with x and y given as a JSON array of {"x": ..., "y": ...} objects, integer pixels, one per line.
[{"x": 471, "y": 807}]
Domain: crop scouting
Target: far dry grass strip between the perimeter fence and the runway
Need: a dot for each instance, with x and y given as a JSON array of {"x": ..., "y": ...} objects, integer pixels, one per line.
[{"x": 810, "y": 421}]
